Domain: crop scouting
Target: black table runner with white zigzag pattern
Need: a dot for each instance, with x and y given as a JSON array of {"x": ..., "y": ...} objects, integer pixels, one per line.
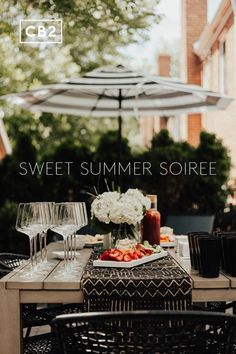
[{"x": 161, "y": 284}]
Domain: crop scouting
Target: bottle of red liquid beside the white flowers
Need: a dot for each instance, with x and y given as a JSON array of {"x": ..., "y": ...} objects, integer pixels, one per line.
[{"x": 151, "y": 223}]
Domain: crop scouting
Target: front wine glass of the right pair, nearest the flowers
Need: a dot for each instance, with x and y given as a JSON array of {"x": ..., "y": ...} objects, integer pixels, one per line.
[{"x": 65, "y": 224}]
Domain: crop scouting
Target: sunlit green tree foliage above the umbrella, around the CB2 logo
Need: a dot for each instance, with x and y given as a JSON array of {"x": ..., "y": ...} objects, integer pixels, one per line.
[{"x": 93, "y": 31}]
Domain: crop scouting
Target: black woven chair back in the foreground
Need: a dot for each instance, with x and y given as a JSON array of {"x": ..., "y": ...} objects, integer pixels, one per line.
[{"x": 146, "y": 332}]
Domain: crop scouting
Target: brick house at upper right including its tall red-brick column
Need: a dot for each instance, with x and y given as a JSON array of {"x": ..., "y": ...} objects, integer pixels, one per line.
[{"x": 208, "y": 59}]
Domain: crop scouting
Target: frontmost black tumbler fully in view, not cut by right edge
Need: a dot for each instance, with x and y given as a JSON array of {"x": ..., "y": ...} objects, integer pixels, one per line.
[{"x": 209, "y": 258}]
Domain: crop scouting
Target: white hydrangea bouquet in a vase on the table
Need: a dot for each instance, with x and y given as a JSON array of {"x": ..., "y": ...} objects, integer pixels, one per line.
[{"x": 119, "y": 213}]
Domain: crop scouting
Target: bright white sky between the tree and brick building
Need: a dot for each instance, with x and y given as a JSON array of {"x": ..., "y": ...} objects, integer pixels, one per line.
[{"x": 166, "y": 33}]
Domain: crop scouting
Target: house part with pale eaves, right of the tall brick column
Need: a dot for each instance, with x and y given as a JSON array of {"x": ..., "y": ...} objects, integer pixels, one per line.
[{"x": 216, "y": 50}]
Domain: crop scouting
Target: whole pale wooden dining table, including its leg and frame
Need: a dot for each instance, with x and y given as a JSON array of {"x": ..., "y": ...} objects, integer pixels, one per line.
[{"x": 15, "y": 289}]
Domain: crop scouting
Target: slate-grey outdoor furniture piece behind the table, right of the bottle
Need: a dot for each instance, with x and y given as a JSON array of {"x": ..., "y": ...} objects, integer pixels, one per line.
[{"x": 182, "y": 224}]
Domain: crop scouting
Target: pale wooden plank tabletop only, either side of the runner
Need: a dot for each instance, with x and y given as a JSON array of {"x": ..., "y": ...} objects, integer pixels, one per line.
[{"x": 51, "y": 282}]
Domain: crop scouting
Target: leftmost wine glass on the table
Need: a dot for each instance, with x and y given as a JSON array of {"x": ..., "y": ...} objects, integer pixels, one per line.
[{"x": 30, "y": 222}]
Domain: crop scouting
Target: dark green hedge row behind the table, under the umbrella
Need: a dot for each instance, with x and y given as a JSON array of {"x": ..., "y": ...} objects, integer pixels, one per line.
[{"x": 176, "y": 193}]
